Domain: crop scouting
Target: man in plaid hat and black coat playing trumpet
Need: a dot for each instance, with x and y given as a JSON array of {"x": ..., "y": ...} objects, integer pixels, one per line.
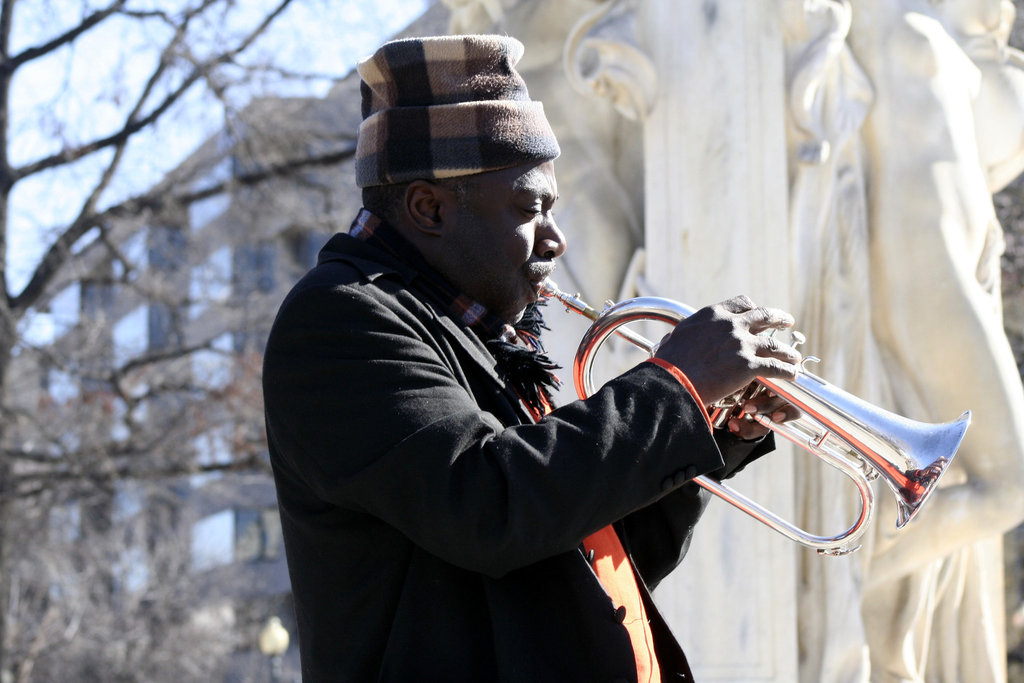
[{"x": 442, "y": 520}]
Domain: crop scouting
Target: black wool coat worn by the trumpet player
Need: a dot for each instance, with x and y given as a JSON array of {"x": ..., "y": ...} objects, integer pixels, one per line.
[{"x": 433, "y": 531}]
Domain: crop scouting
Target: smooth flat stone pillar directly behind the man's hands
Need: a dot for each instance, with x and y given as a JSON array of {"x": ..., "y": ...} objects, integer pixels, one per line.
[{"x": 716, "y": 221}]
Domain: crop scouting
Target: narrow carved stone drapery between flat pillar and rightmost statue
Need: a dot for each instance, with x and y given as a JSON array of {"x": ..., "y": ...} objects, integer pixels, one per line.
[{"x": 829, "y": 98}]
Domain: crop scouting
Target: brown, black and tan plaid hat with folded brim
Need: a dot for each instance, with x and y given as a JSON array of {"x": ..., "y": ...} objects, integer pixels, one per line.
[{"x": 445, "y": 107}]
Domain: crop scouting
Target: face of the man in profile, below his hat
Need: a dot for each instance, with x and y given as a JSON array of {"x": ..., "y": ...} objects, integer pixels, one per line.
[{"x": 502, "y": 240}]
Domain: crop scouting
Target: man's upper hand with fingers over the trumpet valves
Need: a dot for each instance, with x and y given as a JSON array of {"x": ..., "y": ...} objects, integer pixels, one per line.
[{"x": 720, "y": 349}]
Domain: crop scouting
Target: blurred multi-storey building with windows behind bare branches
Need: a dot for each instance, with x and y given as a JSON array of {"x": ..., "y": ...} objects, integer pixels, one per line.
[{"x": 158, "y": 344}]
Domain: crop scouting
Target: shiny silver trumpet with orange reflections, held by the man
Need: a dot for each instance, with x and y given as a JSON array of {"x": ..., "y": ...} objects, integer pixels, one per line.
[{"x": 862, "y": 441}]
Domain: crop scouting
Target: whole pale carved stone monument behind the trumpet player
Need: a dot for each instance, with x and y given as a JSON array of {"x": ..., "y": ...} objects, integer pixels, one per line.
[{"x": 887, "y": 125}]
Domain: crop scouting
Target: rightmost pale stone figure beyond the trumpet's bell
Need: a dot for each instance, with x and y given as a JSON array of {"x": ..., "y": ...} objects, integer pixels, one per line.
[{"x": 946, "y": 132}]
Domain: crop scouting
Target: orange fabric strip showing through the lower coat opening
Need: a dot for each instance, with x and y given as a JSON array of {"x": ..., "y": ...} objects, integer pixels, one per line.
[{"x": 616, "y": 574}]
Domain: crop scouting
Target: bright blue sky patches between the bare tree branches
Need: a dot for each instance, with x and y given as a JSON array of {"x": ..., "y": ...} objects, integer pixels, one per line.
[{"x": 79, "y": 94}]
